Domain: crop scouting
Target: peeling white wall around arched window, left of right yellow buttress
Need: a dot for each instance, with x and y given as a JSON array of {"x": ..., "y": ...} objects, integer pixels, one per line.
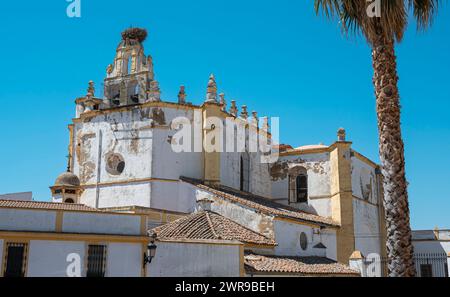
[{"x": 318, "y": 170}]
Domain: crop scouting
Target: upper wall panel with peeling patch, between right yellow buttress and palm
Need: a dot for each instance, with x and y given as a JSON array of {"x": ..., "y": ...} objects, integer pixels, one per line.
[{"x": 364, "y": 181}]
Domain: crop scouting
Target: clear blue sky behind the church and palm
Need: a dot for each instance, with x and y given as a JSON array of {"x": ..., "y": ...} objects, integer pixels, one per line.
[{"x": 275, "y": 56}]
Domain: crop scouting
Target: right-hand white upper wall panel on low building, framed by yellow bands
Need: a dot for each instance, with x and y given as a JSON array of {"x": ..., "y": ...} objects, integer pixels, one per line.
[{"x": 101, "y": 223}]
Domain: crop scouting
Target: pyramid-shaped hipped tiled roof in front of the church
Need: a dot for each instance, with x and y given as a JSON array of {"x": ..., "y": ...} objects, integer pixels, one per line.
[{"x": 210, "y": 225}]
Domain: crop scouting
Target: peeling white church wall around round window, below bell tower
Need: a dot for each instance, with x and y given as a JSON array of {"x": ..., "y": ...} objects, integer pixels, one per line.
[{"x": 142, "y": 137}]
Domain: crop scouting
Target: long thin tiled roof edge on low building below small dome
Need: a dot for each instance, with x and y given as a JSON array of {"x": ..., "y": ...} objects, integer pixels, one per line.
[{"x": 45, "y": 205}]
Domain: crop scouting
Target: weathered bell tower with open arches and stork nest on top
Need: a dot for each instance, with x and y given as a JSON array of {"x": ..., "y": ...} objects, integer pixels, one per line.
[{"x": 130, "y": 79}]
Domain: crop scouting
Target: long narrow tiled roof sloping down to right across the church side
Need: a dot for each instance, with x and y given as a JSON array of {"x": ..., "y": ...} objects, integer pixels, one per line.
[{"x": 259, "y": 203}]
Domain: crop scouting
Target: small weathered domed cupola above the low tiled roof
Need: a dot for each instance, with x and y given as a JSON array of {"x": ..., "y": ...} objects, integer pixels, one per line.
[{"x": 66, "y": 188}]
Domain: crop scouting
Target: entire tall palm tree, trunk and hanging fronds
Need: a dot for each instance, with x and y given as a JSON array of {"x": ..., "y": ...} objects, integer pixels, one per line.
[{"x": 382, "y": 32}]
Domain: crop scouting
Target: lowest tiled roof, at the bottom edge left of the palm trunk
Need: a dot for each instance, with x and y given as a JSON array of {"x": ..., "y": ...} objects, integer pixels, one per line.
[{"x": 313, "y": 265}]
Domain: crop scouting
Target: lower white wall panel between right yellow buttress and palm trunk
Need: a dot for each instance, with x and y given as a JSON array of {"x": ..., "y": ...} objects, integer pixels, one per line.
[{"x": 366, "y": 225}]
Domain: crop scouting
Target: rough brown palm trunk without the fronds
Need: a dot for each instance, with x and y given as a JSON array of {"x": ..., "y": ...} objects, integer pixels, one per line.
[{"x": 391, "y": 149}]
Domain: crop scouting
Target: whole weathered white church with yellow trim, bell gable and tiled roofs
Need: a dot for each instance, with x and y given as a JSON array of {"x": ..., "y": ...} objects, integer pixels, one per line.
[{"x": 311, "y": 209}]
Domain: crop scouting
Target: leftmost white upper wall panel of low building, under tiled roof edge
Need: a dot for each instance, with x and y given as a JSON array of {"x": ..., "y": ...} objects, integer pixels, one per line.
[{"x": 24, "y": 219}]
